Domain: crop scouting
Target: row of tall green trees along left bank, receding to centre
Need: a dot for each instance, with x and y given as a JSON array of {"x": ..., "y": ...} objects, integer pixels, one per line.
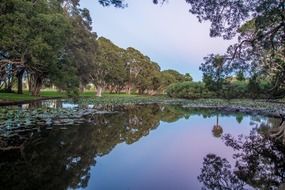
[{"x": 51, "y": 42}]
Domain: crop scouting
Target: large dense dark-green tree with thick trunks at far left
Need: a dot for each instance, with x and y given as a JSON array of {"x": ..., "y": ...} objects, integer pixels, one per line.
[{"x": 33, "y": 35}]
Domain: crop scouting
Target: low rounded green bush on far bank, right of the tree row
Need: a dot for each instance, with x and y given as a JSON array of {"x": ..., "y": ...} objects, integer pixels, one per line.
[{"x": 189, "y": 90}]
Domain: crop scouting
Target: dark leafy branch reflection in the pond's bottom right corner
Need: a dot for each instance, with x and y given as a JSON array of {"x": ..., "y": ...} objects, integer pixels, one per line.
[{"x": 260, "y": 163}]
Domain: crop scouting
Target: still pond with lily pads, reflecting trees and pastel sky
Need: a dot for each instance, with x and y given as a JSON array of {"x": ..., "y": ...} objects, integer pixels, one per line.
[{"x": 62, "y": 145}]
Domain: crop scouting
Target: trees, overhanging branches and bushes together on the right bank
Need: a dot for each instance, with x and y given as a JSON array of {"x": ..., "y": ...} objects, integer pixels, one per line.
[{"x": 255, "y": 65}]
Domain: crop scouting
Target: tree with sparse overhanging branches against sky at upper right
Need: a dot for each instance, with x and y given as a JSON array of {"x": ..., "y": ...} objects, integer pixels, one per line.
[{"x": 260, "y": 28}]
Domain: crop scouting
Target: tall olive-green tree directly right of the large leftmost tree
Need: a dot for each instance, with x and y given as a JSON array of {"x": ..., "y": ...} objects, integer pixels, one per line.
[{"x": 81, "y": 48}]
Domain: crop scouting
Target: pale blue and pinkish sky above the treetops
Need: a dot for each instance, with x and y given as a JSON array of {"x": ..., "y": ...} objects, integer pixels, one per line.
[{"x": 168, "y": 33}]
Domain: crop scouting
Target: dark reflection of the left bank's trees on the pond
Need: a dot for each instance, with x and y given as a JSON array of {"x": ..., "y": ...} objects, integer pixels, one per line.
[{"x": 61, "y": 158}]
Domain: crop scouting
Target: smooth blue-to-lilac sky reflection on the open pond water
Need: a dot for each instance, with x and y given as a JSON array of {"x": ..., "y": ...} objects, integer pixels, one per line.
[{"x": 168, "y": 158}]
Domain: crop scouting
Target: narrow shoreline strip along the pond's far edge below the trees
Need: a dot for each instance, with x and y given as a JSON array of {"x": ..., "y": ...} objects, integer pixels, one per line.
[{"x": 247, "y": 106}]
